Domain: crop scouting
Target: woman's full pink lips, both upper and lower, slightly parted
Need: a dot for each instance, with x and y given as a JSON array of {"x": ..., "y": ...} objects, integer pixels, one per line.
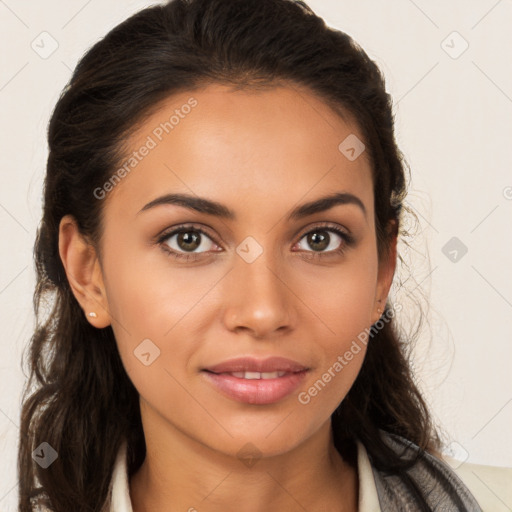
[{"x": 254, "y": 390}]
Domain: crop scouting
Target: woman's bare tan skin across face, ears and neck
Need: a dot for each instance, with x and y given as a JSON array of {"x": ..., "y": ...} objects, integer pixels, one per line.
[{"x": 261, "y": 154}]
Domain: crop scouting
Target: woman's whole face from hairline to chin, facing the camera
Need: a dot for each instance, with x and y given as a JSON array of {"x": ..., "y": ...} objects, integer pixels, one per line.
[{"x": 267, "y": 278}]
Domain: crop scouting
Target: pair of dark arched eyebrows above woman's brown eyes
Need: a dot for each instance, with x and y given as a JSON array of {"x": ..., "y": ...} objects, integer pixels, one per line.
[{"x": 209, "y": 207}]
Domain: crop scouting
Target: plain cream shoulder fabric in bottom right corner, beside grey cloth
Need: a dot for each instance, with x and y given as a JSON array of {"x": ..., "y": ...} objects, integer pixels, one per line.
[{"x": 490, "y": 485}]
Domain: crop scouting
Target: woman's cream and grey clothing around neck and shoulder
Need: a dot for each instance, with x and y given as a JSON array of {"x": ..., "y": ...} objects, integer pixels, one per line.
[{"x": 379, "y": 492}]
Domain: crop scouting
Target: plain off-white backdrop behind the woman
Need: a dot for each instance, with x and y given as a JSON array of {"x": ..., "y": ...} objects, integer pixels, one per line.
[{"x": 447, "y": 67}]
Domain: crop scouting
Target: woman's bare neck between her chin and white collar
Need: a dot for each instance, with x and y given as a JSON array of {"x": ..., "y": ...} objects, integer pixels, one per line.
[{"x": 179, "y": 473}]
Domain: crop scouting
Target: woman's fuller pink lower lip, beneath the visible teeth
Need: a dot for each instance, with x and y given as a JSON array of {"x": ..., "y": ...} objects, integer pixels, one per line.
[{"x": 256, "y": 391}]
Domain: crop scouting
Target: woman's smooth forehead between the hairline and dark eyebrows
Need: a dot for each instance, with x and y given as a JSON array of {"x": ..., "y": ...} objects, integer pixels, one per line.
[{"x": 254, "y": 147}]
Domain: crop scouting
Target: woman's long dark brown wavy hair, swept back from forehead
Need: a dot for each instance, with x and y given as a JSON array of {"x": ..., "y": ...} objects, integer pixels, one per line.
[{"x": 79, "y": 398}]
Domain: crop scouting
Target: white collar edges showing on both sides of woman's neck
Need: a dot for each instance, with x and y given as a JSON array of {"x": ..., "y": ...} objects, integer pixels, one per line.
[{"x": 120, "y": 498}]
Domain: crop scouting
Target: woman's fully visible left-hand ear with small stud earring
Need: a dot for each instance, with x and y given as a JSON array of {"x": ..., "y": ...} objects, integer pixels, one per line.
[{"x": 84, "y": 272}]
